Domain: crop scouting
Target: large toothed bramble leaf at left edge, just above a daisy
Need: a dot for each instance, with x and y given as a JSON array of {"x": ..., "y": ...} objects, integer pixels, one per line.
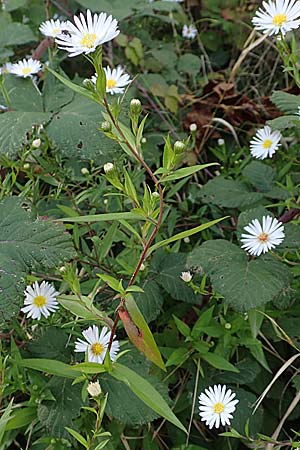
[{"x": 26, "y": 244}]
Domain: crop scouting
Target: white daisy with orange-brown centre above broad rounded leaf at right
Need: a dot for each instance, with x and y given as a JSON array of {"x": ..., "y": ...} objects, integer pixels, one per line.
[{"x": 262, "y": 238}]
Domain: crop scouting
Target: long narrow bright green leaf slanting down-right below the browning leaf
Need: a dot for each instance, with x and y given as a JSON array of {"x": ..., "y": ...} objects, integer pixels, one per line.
[{"x": 146, "y": 392}]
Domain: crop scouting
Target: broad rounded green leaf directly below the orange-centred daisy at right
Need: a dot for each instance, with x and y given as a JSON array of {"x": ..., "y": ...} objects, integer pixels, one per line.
[{"x": 244, "y": 283}]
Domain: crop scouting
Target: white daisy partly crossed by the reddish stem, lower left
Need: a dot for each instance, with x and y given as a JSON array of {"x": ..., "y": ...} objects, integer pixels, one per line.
[{"x": 97, "y": 345}]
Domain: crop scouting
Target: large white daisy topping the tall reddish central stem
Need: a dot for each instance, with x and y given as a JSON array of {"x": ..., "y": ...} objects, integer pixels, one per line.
[{"x": 87, "y": 33}]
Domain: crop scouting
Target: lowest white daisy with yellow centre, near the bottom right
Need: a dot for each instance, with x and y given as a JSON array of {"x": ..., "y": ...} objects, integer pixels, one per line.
[{"x": 216, "y": 406}]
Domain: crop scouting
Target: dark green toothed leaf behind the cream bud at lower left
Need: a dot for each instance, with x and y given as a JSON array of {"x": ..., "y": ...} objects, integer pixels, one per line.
[{"x": 57, "y": 414}]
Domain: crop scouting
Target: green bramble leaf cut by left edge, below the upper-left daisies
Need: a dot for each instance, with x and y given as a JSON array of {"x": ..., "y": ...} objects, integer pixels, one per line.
[{"x": 14, "y": 126}]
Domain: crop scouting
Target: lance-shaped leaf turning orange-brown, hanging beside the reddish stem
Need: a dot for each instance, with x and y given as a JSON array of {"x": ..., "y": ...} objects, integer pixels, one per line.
[{"x": 138, "y": 331}]
